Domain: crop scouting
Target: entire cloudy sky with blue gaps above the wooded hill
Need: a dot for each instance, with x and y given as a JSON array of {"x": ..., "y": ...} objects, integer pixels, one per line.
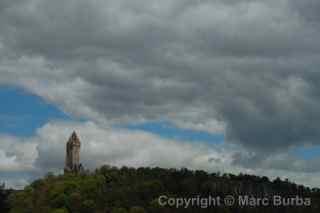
[{"x": 219, "y": 85}]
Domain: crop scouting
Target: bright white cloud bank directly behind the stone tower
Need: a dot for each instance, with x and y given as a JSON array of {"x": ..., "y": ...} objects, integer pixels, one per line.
[{"x": 120, "y": 147}]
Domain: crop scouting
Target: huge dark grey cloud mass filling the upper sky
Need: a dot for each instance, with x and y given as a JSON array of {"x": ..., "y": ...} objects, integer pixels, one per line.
[{"x": 250, "y": 64}]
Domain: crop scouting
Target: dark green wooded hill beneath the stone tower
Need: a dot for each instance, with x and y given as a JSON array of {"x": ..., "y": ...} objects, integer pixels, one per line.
[{"x": 129, "y": 190}]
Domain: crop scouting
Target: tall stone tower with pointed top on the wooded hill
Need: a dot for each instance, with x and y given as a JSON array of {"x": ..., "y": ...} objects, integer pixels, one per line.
[{"x": 72, "y": 163}]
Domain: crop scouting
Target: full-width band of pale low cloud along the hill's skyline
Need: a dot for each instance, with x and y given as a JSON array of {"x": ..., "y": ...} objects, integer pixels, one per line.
[{"x": 120, "y": 147}]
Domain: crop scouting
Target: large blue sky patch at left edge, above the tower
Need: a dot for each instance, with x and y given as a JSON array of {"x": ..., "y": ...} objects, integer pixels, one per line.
[{"x": 21, "y": 113}]
